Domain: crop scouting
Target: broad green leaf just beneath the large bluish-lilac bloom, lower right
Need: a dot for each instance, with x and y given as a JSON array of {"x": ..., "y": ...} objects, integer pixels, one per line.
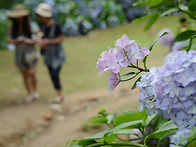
[{"x": 163, "y": 130}]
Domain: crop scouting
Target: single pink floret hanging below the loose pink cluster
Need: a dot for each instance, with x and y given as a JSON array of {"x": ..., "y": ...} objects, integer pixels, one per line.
[{"x": 113, "y": 81}]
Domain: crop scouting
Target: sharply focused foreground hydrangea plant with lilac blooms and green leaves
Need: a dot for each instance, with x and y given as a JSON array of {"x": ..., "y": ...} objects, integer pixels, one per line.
[{"x": 167, "y": 114}]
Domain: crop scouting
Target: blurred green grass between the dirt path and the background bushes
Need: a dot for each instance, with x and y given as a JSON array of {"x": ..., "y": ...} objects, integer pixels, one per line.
[{"x": 80, "y": 72}]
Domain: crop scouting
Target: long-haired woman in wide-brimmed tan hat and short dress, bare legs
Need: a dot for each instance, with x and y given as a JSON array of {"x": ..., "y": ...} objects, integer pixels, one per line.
[{"x": 26, "y": 54}]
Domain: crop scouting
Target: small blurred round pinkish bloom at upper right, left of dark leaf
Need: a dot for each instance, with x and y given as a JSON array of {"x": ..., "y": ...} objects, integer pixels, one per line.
[{"x": 167, "y": 39}]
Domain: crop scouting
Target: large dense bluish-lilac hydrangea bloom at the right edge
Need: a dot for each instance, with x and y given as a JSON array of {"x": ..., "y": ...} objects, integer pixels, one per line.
[{"x": 173, "y": 89}]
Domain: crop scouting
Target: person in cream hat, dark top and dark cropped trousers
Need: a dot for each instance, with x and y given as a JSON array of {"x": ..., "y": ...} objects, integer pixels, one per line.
[{"x": 51, "y": 45}]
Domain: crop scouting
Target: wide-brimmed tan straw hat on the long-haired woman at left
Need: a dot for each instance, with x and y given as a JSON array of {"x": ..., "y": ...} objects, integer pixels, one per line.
[{"x": 19, "y": 10}]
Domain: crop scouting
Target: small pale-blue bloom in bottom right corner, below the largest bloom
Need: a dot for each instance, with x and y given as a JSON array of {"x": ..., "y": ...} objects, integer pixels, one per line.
[{"x": 178, "y": 136}]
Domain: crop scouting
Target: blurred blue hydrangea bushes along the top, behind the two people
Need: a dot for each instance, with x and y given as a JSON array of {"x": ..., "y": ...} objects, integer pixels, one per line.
[{"x": 87, "y": 14}]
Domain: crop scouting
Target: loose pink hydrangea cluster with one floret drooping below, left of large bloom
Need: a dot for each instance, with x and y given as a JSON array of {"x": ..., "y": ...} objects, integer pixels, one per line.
[{"x": 126, "y": 51}]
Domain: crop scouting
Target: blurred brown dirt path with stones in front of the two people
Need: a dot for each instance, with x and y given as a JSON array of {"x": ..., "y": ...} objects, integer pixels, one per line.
[{"x": 41, "y": 124}]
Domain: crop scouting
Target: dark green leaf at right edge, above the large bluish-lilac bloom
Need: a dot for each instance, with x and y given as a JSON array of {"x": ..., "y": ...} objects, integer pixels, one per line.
[{"x": 185, "y": 35}]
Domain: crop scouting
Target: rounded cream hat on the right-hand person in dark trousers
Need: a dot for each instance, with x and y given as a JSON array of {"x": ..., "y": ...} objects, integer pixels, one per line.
[{"x": 44, "y": 10}]
